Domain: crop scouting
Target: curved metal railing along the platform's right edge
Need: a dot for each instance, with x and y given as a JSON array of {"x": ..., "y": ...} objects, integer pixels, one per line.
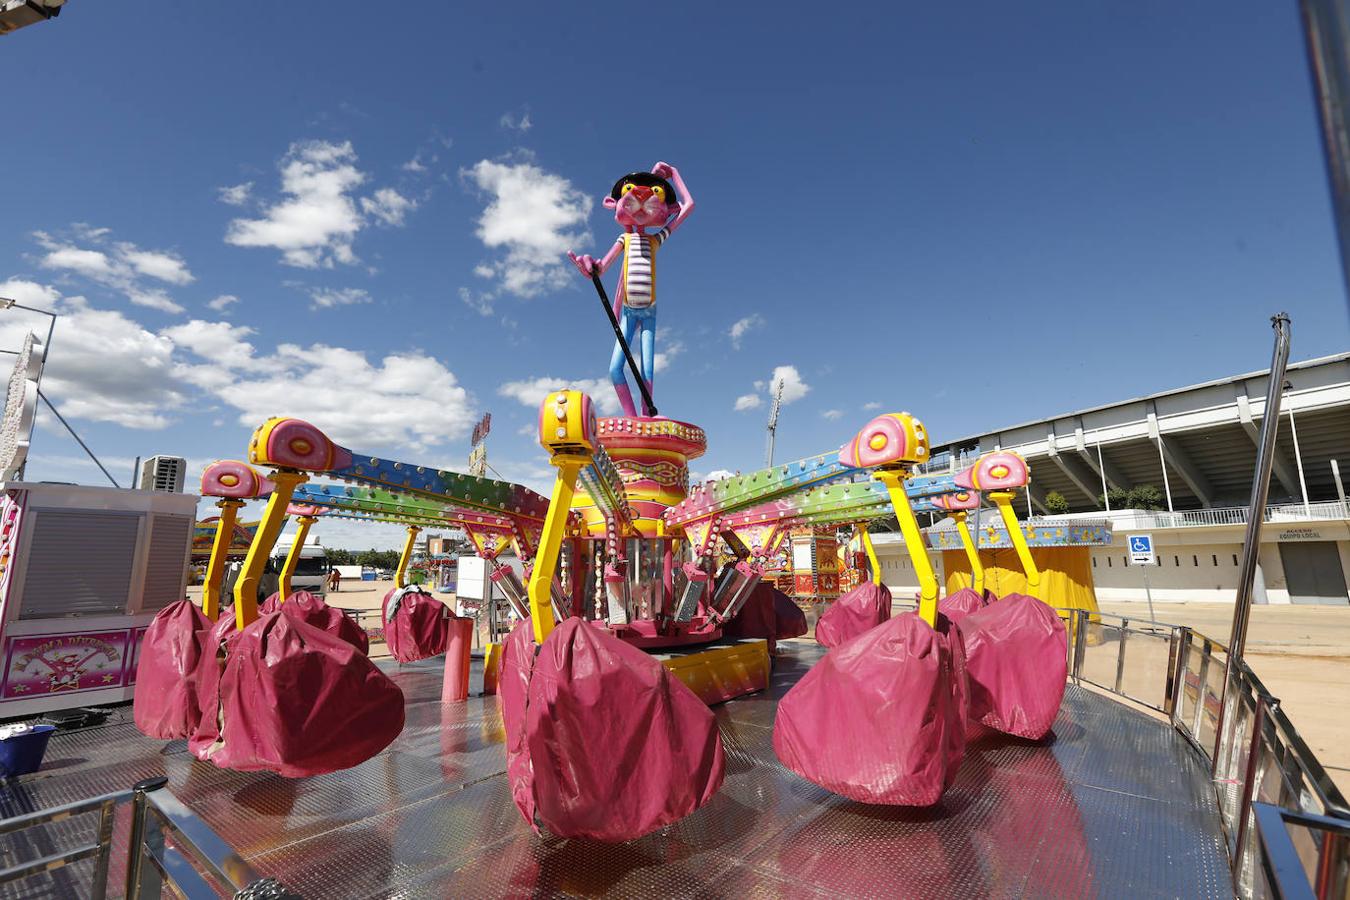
[{"x": 1255, "y": 752}]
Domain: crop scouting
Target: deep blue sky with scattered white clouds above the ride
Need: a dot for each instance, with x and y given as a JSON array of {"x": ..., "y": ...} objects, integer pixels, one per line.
[{"x": 893, "y": 202}]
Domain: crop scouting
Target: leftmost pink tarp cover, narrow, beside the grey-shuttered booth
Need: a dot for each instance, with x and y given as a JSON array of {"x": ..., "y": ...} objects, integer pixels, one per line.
[{"x": 167, "y": 677}]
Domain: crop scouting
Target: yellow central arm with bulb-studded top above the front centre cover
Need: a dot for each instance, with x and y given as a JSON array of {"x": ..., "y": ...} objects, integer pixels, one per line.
[{"x": 568, "y": 432}]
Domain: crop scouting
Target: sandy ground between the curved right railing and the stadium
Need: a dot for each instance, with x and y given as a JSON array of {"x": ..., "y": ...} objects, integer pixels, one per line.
[{"x": 1302, "y": 654}]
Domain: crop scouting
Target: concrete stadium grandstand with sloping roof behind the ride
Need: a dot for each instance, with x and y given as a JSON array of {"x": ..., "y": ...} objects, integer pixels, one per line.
[{"x": 1198, "y": 447}]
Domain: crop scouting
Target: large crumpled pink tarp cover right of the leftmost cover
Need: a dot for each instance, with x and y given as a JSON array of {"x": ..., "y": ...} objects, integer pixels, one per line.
[{"x": 294, "y": 700}]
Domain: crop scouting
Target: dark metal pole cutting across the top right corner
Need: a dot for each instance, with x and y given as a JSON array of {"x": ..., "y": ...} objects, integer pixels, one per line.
[{"x": 1325, "y": 26}]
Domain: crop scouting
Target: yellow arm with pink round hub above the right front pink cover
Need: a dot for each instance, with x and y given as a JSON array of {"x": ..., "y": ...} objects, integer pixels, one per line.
[{"x": 890, "y": 445}]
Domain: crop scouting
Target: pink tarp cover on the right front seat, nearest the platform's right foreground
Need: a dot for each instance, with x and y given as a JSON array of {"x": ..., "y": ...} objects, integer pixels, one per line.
[{"x": 881, "y": 719}]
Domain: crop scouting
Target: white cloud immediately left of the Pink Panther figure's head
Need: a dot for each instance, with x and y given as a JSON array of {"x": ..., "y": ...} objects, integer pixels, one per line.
[{"x": 533, "y": 218}]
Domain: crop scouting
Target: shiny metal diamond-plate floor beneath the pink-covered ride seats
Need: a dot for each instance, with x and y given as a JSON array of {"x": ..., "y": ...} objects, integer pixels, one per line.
[{"x": 1117, "y": 805}]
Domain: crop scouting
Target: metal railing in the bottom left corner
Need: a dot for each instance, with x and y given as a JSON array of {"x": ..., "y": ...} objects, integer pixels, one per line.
[{"x": 168, "y": 847}]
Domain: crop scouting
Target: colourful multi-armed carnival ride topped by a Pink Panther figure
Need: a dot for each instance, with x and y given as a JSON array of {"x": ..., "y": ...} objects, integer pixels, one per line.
[{"x": 634, "y": 585}]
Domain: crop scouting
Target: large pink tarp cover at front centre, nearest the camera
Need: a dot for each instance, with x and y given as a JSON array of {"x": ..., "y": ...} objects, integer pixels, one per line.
[{"x": 603, "y": 741}]
